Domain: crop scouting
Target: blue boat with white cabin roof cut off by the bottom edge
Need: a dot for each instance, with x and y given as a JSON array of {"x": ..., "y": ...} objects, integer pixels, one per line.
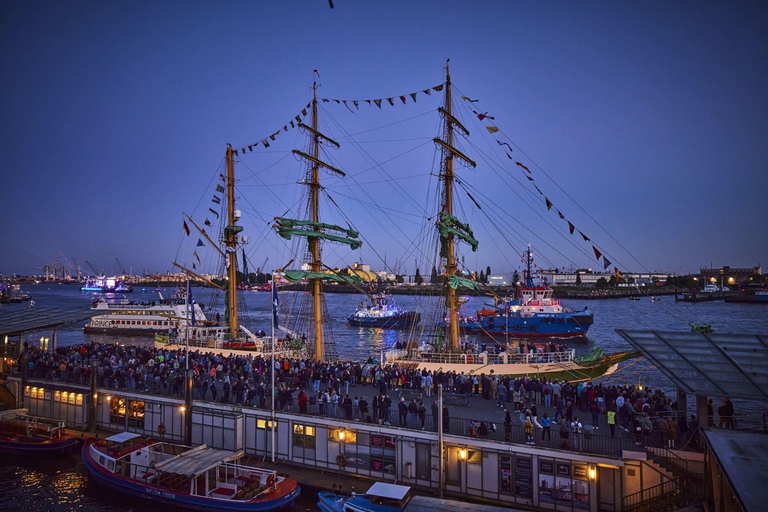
[{"x": 383, "y": 497}]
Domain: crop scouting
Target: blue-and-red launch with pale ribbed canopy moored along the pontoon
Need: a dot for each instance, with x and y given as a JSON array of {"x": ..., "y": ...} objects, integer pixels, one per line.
[{"x": 199, "y": 478}]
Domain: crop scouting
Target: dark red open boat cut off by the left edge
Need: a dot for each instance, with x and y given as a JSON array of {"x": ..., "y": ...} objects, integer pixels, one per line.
[{"x": 21, "y": 434}]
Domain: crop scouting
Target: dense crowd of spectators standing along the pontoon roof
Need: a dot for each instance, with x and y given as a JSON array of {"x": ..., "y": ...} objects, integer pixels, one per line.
[{"x": 246, "y": 380}]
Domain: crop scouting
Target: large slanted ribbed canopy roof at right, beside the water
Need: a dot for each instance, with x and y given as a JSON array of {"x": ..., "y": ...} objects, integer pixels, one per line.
[{"x": 734, "y": 365}]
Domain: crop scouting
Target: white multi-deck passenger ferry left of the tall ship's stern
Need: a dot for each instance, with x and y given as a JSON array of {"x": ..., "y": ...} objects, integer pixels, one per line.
[{"x": 142, "y": 318}]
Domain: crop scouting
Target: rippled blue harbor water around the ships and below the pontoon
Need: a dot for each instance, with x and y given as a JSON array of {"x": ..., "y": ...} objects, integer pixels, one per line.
[{"x": 63, "y": 484}]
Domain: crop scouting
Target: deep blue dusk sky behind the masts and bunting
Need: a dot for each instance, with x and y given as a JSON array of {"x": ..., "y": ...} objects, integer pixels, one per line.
[{"x": 645, "y": 123}]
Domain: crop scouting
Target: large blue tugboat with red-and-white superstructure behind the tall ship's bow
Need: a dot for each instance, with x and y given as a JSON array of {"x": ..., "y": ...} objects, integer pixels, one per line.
[{"x": 536, "y": 314}]
